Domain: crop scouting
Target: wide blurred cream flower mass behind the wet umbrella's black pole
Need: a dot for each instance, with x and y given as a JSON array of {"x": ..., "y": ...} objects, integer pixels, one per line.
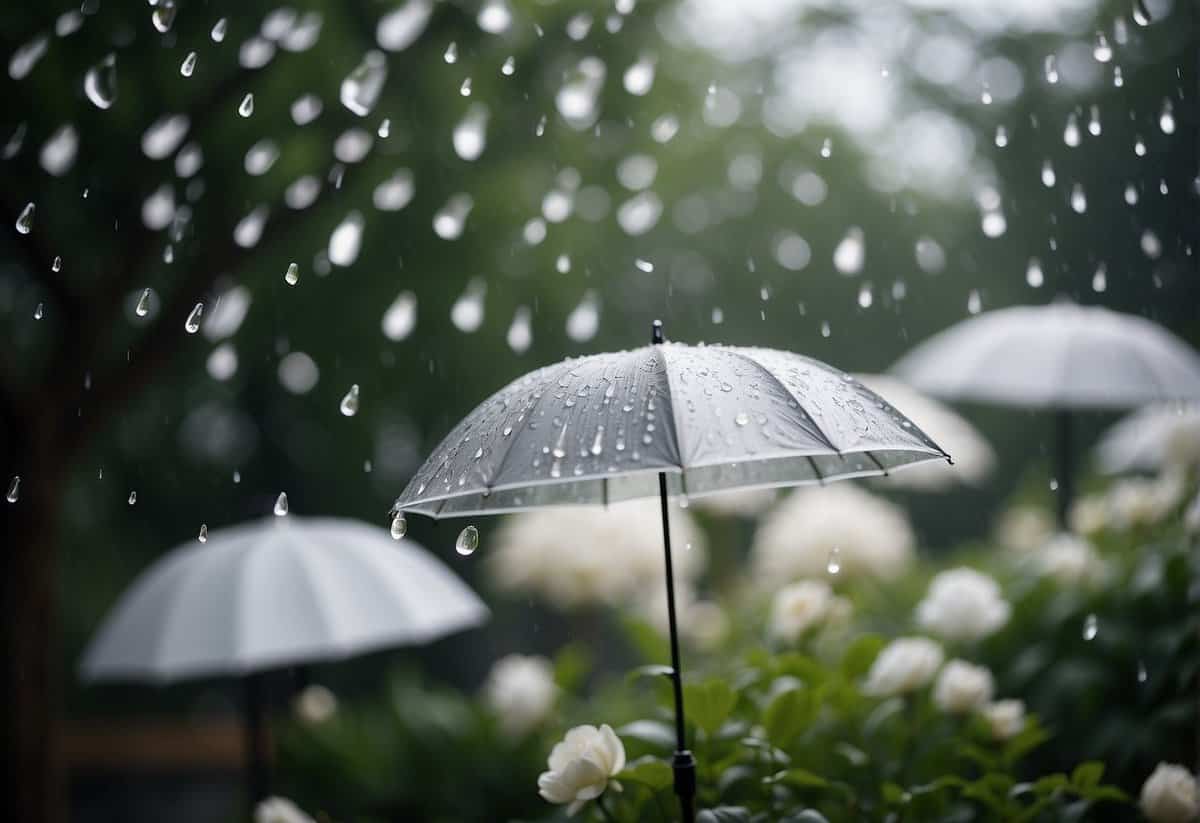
[{"x": 578, "y": 556}]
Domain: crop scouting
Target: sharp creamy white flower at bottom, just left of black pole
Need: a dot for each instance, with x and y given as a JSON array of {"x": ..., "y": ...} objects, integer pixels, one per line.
[{"x": 581, "y": 767}]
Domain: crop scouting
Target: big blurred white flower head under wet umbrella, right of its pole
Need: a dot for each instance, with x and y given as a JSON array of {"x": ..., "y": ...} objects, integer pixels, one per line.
[{"x": 868, "y": 536}]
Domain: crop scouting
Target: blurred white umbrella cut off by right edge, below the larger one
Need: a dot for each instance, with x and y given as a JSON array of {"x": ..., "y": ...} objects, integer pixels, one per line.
[{"x": 1151, "y": 437}]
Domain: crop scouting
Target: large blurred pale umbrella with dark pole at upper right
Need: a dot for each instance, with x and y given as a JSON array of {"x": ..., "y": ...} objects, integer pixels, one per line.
[{"x": 1063, "y": 358}]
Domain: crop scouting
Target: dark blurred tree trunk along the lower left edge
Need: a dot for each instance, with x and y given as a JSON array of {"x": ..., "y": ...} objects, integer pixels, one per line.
[{"x": 34, "y": 790}]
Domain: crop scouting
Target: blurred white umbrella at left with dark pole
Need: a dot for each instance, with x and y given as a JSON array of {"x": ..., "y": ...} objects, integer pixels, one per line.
[{"x": 274, "y": 593}]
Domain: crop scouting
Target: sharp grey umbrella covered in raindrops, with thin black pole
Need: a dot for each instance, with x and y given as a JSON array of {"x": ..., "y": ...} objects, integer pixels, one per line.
[{"x": 663, "y": 420}]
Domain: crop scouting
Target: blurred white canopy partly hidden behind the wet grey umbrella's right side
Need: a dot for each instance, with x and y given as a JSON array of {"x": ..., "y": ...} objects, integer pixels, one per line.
[{"x": 974, "y": 458}]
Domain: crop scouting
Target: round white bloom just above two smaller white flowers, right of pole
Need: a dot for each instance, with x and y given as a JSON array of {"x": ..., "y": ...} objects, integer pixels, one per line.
[{"x": 963, "y": 605}]
